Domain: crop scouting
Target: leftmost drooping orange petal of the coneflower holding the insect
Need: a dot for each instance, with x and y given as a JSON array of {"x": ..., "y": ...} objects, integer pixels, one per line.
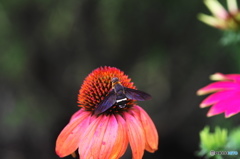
[{"x": 67, "y": 141}]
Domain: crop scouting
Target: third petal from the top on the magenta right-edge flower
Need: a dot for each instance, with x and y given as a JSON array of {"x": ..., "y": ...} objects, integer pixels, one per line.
[{"x": 216, "y": 97}]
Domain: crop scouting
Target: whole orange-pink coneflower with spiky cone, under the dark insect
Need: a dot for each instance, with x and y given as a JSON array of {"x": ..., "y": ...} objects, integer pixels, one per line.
[{"x": 106, "y": 135}]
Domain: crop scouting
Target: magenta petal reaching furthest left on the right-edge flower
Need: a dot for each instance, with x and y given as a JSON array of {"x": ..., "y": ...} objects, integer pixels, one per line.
[{"x": 218, "y": 86}]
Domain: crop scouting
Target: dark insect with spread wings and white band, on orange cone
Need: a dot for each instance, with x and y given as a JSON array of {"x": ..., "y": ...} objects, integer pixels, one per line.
[{"x": 119, "y": 96}]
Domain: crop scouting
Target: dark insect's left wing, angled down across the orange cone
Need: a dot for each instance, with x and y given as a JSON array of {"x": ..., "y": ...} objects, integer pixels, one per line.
[{"x": 107, "y": 102}]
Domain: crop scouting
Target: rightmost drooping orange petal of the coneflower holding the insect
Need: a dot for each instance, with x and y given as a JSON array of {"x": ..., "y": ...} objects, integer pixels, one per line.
[{"x": 149, "y": 129}]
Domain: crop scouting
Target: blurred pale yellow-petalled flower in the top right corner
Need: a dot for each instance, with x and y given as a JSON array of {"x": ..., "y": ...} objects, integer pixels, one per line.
[{"x": 222, "y": 19}]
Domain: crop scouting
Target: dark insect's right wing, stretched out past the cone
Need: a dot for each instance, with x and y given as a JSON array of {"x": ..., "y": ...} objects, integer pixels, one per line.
[{"x": 136, "y": 94}]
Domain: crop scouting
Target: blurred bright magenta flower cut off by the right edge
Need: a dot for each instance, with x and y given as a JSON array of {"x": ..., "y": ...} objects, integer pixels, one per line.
[{"x": 225, "y": 97}]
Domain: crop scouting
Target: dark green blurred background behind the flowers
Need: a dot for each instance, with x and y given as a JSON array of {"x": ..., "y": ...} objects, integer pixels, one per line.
[{"x": 48, "y": 47}]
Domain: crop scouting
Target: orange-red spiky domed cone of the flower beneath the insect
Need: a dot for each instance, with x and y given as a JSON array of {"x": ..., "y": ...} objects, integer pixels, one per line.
[{"x": 98, "y": 84}]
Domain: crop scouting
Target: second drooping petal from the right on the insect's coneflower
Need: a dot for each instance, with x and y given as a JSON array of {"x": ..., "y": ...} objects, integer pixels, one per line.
[{"x": 135, "y": 135}]
